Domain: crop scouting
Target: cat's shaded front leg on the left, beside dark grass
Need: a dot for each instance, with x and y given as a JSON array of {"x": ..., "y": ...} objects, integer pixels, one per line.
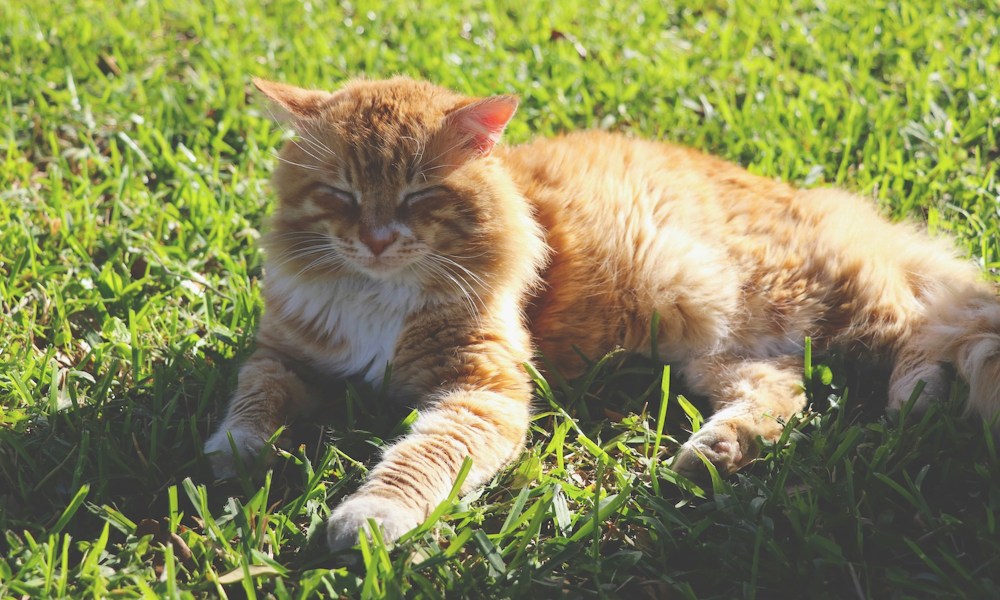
[{"x": 267, "y": 395}]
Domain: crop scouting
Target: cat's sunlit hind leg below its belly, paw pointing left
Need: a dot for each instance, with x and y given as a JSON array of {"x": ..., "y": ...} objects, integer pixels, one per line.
[{"x": 752, "y": 399}]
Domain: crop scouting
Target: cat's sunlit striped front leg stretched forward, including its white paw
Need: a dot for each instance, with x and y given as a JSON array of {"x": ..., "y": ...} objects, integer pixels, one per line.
[{"x": 417, "y": 473}]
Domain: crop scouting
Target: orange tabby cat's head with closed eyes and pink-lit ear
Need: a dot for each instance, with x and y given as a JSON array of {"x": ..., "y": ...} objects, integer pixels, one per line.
[{"x": 395, "y": 179}]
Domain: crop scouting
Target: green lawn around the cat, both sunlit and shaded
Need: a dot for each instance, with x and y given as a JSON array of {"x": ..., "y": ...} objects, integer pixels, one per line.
[{"x": 133, "y": 183}]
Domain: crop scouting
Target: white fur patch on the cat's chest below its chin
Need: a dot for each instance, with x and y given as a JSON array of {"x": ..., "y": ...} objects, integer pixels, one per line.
[{"x": 360, "y": 319}]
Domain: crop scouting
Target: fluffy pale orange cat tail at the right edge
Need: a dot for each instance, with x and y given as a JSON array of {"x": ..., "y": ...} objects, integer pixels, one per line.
[{"x": 965, "y": 332}]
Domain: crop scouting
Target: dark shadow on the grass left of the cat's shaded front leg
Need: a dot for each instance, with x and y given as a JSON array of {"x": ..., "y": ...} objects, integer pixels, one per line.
[{"x": 126, "y": 448}]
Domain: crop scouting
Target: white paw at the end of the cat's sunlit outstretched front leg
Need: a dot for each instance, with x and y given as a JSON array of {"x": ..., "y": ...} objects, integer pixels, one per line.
[{"x": 351, "y": 518}]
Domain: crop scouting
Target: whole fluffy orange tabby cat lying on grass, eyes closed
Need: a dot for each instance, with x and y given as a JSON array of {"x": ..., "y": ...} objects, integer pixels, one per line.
[{"x": 405, "y": 235}]
